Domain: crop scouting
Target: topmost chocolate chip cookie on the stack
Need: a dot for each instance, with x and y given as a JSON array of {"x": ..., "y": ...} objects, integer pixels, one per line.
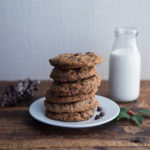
[{"x": 78, "y": 60}]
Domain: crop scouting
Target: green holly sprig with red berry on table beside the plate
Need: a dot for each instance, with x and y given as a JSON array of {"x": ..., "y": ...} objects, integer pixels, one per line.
[{"x": 137, "y": 116}]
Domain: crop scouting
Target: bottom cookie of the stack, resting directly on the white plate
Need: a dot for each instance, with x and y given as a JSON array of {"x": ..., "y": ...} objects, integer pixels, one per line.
[{"x": 79, "y": 116}]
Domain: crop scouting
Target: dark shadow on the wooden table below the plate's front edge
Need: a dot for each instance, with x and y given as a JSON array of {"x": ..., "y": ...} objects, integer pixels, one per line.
[{"x": 53, "y": 131}]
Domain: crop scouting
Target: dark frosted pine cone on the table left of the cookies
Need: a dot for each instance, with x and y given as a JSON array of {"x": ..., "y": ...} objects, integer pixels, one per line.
[{"x": 22, "y": 91}]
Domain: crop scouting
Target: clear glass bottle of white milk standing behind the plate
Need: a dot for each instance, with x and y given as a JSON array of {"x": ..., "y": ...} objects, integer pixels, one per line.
[{"x": 124, "y": 66}]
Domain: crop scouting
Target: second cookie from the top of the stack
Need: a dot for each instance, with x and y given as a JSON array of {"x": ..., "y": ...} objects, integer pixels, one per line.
[{"x": 63, "y": 75}]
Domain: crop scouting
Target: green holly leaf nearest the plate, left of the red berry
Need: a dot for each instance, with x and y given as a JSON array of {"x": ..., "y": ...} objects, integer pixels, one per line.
[{"x": 123, "y": 114}]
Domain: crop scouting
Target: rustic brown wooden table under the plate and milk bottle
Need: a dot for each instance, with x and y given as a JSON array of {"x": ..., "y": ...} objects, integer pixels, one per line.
[{"x": 19, "y": 131}]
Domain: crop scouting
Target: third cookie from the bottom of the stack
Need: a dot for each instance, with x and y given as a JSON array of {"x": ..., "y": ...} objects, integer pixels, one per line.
[{"x": 68, "y": 99}]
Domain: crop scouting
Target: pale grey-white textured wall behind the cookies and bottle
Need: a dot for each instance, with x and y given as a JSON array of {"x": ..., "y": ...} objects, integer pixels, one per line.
[{"x": 31, "y": 31}]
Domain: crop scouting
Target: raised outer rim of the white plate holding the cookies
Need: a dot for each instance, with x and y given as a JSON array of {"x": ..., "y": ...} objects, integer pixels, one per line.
[{"x": 71, "y": 126}]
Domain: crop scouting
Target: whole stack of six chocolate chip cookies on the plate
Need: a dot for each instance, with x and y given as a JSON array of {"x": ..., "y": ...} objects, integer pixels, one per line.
[{"x": 71, "y": 96}]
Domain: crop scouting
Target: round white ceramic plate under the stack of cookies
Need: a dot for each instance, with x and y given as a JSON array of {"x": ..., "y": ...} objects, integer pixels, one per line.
[{"x": 110, "y": 108}]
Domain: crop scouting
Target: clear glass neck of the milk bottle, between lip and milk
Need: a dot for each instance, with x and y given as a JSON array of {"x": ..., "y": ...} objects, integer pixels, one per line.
[{"x": 126, "y": 42}]
